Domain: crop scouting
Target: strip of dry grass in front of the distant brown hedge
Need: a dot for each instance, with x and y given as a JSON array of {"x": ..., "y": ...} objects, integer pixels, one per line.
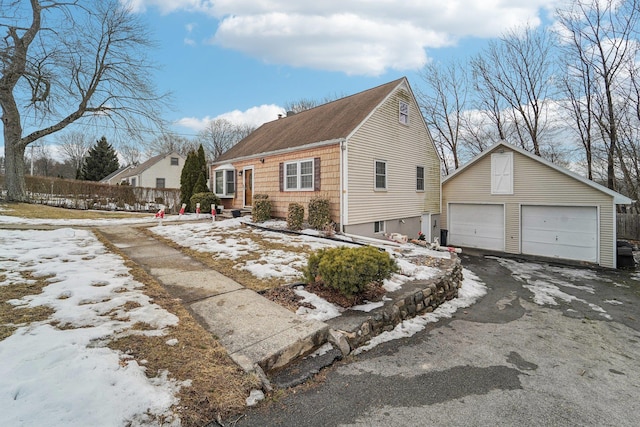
[{"x": 36, "y": 211}]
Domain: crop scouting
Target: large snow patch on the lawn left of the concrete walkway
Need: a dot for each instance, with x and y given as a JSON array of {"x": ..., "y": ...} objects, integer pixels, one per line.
[{"x": 67, "y": 376}]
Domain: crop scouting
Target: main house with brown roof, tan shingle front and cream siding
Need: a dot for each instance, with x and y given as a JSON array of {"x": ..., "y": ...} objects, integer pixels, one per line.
[{"x": 370, "y": 154}]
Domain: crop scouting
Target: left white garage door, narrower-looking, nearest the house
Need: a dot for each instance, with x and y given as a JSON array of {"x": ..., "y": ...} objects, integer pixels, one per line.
[{"x": 476, "y": 226}]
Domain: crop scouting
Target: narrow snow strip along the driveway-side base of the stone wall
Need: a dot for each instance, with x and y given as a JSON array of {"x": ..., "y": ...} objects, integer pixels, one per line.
[{"x": 472, "y": 289}]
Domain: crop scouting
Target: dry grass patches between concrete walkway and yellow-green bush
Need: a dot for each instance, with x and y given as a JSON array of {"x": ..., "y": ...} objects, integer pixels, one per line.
[{"x": 227, "y": 267}]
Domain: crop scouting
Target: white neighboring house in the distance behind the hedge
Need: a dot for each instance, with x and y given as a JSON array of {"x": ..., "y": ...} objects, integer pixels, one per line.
[{"x": 162, "y": 171}]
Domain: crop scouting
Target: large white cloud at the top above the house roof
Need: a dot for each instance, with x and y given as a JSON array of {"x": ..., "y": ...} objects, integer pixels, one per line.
[{"x": 353, "y": 36}]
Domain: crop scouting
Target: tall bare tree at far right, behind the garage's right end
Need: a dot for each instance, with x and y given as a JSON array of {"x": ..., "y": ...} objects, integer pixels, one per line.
[{"x": 601, "y": 36}]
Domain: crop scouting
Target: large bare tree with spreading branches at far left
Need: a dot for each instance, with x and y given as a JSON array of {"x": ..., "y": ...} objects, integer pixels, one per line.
[{"x": 70, "y": 61}]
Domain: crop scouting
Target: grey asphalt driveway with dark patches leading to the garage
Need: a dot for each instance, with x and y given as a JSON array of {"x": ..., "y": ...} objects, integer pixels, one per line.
[{"x": 548, "y": 345}]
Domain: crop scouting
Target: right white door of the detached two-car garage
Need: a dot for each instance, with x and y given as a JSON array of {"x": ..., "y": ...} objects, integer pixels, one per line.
[{"x": 567, "y": 232}]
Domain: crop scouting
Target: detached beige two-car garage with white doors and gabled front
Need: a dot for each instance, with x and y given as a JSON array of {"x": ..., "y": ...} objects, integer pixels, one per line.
[{"x": 509, "y": 200}]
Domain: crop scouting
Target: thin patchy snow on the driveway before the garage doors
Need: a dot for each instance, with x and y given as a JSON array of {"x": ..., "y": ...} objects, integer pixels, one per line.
[{"x": 546, "y": 289}]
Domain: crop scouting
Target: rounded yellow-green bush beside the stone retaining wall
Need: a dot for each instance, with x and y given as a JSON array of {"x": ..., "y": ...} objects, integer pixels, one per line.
[{"x": 350, "y": 270}]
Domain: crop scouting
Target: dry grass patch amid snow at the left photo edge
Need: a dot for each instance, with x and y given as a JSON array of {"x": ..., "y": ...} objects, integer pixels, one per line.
[{"x": 12, "y": 317}]
